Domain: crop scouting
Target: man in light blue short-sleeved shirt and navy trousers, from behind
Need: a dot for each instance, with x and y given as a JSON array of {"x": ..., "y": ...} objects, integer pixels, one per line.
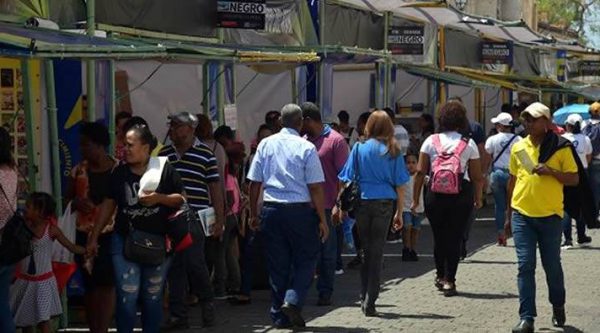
[{"x": 289, "y": 169}]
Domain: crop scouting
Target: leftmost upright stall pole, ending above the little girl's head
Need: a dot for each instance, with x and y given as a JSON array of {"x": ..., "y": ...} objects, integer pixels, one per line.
[{"x": 29, "y": 101}]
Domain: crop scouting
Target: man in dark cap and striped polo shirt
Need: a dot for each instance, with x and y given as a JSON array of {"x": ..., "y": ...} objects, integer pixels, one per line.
[{"x": 197, "y": 167}]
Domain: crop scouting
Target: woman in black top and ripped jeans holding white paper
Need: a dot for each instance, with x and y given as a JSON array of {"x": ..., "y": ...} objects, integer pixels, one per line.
[{"x": 144, "y": 212}]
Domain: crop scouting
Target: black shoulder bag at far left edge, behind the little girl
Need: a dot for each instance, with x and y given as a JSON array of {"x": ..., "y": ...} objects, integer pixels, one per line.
[{"x": 15, "y": 240}]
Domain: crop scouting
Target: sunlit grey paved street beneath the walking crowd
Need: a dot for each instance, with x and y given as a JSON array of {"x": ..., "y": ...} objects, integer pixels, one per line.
[{"x": 487, "y": 300}]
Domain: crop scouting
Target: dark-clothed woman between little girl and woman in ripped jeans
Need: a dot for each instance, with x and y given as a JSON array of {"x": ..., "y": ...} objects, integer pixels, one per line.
[{"x": 94, "y": 171}]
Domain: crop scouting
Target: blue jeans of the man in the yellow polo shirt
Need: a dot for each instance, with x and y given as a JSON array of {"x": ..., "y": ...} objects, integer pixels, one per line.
[{"x": 529, "y": 232}]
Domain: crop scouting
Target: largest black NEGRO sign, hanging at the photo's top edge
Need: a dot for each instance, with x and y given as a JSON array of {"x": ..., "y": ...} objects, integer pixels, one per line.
[{"x": 241, "y": 14}]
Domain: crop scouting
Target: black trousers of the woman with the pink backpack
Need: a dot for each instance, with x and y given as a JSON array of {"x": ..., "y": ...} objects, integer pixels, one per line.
[{"x": 448, "y": 215}]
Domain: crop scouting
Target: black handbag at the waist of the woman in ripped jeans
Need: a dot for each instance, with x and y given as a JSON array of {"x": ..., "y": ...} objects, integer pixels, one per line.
[{"x": 144, "y": 247}]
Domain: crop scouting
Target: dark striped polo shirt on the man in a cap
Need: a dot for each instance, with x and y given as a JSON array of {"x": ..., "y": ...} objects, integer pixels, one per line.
[{"x": 197, "y": 167}]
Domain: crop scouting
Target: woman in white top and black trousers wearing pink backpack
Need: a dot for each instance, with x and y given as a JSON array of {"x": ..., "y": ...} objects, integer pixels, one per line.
[{"x": 454, "y": 189}]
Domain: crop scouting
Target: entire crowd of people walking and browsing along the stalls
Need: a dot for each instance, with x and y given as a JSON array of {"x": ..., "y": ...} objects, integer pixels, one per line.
[{"x": 283, "y": 204}]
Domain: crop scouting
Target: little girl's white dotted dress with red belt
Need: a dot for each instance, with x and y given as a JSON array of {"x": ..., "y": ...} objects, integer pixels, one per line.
[{"x": 34, "y": 296}]
